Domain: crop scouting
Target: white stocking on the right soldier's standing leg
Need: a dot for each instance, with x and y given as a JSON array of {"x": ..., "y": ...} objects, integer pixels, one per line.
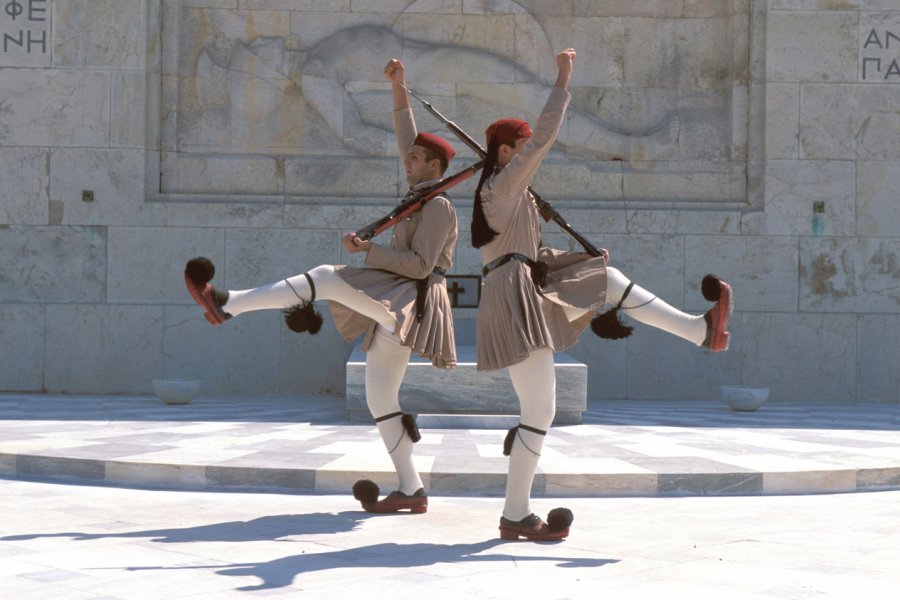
[{"x": 534, "y": 380}]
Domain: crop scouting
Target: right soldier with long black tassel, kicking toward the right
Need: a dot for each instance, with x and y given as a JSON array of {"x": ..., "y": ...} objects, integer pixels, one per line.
[{"x": 537, "y": 300}]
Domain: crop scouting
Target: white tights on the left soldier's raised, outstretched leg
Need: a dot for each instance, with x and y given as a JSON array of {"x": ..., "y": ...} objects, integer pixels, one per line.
[{"x": 288, "y": 292}]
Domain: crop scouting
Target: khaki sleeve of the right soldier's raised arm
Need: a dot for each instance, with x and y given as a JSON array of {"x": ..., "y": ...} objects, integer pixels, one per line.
[{"x": 507, "y": 185}]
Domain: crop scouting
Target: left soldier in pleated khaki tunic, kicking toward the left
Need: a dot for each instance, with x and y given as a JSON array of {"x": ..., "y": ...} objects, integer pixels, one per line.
[{"x": 398, "y": 300}]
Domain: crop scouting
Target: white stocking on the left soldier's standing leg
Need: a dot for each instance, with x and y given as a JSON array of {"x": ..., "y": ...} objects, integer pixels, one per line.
[{"x": 386, "y": 362}]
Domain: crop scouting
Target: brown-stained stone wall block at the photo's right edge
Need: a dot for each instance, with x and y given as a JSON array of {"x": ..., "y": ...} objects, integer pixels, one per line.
[{"x": 855, "y": 275}]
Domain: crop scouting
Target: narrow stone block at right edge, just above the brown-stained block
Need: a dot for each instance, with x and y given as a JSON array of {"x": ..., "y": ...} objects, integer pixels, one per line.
[{"x": 877, "y": 183}]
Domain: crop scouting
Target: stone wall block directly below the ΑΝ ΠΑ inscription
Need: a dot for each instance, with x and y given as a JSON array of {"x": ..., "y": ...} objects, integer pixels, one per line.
[{"x": 849, "y": 121}]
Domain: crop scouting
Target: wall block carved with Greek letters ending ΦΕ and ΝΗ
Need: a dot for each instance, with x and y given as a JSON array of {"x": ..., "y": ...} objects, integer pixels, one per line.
[{"x": 25, "y": 32}]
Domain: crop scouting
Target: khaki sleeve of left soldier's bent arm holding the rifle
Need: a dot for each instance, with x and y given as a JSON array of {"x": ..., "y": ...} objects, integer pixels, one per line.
[{"x": 427, "y": 243}]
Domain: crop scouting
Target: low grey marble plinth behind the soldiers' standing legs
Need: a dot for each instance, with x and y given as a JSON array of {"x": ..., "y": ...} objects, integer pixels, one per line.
[{"x": 467, "y": 391}]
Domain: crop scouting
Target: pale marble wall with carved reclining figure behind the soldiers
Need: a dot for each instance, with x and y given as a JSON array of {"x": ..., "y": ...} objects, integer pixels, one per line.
[{"x": 756, "y": 139}]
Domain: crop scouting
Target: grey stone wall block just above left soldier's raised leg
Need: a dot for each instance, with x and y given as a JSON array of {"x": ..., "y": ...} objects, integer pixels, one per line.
[{"x": 258, "y": 257}]
